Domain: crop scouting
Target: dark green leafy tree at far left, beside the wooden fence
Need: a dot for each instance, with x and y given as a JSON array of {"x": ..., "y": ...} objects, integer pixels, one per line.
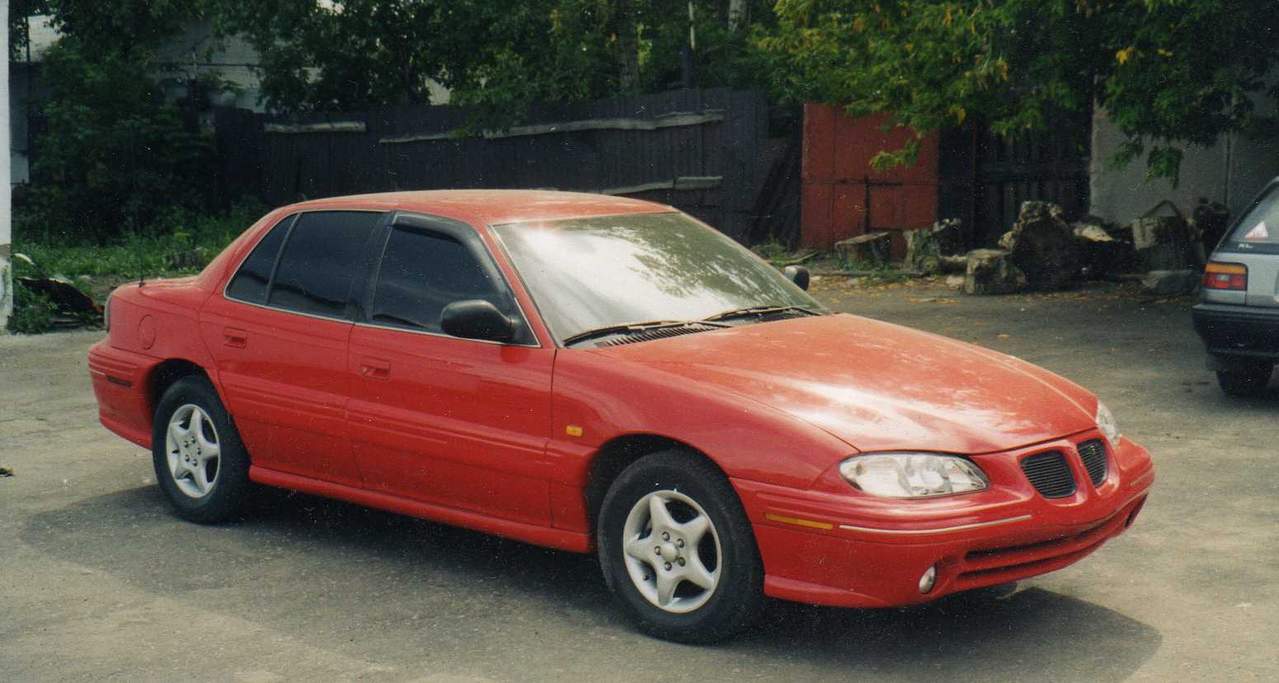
[{"x": 114, "y": 152}]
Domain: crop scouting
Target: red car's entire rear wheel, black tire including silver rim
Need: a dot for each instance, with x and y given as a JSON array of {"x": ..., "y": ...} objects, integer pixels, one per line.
[{"x": 194, "y": 409}]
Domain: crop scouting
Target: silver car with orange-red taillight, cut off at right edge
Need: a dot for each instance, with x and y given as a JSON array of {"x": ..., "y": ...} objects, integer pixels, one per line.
[{"x": 1239, "y": 317}]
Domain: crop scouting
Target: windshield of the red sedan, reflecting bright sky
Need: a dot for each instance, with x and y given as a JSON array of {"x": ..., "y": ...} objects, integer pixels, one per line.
[{"x": 600, "y": 272}]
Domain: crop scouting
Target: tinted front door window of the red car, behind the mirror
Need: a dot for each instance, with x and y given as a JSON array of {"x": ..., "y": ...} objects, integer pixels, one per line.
[{"x": 421, "y": 274}]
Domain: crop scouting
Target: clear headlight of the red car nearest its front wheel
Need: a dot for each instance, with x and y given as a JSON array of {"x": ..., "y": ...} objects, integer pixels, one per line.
[{"x": 913, "y": 475}]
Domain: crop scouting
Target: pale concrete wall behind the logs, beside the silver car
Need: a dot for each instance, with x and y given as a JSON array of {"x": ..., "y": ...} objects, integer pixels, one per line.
[{"x": 1230, "y": 172}]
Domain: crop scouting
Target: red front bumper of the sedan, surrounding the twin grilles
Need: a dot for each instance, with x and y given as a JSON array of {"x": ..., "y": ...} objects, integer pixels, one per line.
[{"x": 845, "y": 549}]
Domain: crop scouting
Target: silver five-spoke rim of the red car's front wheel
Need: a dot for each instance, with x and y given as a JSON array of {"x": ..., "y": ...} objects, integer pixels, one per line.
[{"x": 672, "y": 552}]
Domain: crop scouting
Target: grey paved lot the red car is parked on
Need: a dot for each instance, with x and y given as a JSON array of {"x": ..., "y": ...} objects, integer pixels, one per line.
[{"x": 98, "y": 581}]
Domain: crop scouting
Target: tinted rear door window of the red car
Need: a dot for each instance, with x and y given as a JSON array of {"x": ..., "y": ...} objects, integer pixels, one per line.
[{"x": 322, "y": 258}]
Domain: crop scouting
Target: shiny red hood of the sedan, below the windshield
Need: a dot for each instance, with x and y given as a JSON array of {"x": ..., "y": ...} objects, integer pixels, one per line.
[{"x": 875, "y": 386}]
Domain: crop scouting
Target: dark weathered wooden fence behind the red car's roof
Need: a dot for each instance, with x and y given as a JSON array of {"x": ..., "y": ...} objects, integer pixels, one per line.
[{"x": 705, "y": 152}]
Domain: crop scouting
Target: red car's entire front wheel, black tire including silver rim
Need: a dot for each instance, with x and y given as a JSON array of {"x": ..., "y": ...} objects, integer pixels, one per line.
[{"x": 634, "y": 554}]
